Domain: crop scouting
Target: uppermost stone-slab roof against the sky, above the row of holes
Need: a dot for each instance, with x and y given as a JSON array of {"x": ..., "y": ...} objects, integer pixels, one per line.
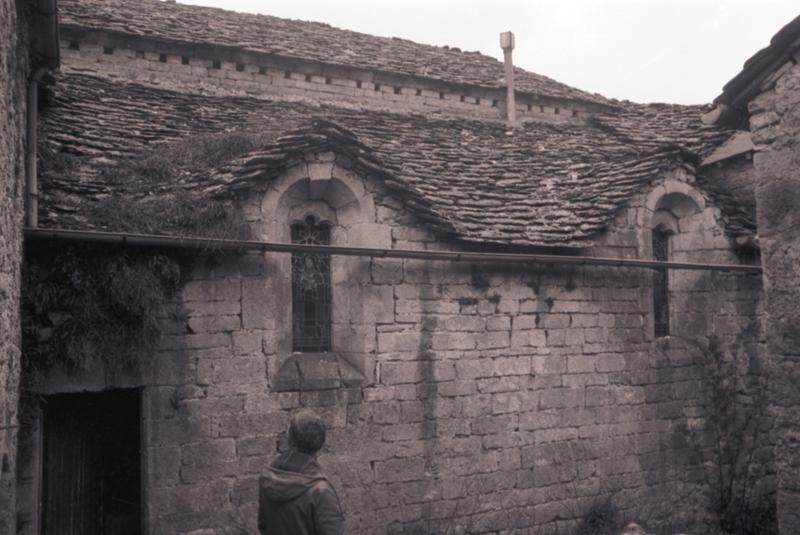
[{"x": 306, "y": 41}]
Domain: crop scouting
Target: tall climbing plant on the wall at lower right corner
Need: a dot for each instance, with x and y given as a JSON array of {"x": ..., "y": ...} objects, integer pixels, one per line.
[{"x": 736, "y": 406}]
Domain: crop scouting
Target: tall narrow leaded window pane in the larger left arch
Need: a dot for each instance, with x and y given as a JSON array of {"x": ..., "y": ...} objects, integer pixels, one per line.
[{"x": 311, "y": 289}]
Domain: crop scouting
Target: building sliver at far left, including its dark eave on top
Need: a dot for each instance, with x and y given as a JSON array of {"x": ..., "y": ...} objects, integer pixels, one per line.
[{"x": 27, "y": 43}]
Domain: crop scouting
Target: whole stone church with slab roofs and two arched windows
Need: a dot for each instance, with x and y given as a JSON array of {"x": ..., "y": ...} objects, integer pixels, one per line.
[{"x": 502, "y": 322}]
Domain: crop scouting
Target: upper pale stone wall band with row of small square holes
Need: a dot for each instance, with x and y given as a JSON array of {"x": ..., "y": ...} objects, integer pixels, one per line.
[{"x": 218, "y": 71}]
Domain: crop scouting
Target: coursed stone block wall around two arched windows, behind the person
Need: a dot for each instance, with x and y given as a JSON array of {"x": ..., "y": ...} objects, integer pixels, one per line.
[{"x": 479, "y": 397}]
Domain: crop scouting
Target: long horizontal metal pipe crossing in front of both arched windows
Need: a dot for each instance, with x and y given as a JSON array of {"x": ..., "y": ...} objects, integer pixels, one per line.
[{"x": 151, "y": 240}]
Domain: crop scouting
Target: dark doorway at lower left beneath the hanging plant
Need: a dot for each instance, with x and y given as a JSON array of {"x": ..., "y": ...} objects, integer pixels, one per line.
[{"x": 92, "y": 464}]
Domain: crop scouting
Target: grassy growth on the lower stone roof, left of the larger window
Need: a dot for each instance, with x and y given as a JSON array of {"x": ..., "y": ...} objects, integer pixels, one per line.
[{"x": 156, "y": 190}]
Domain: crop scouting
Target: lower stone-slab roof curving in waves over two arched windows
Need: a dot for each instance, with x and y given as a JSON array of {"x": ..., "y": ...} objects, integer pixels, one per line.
[{"x": 473, "y": 181}]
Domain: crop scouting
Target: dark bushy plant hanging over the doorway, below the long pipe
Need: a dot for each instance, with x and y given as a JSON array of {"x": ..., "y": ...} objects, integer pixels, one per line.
[{"x": 81, "y": 303}]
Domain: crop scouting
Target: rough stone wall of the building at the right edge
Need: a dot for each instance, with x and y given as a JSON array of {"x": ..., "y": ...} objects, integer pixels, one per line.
[{"x": 775, "y": 124}]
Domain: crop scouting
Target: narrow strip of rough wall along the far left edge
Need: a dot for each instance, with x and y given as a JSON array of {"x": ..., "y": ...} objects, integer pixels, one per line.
[{"x": 12, "y": 101}]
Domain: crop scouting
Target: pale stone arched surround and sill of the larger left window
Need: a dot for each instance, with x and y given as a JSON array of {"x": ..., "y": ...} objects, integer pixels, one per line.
[{"x": 337, "y": 197}]
